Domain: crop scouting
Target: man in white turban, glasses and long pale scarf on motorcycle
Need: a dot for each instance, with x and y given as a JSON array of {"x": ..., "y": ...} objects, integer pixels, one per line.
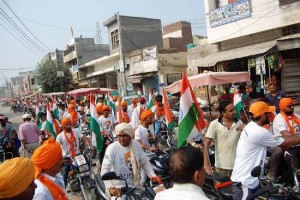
[{"x": 125, "y": 157}]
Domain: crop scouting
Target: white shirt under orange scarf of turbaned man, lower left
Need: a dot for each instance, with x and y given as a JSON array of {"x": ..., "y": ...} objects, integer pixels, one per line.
[{"x": 42, "y": 192}]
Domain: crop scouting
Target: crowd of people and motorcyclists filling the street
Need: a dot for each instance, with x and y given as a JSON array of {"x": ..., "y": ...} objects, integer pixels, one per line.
[{"x": 126, "y": 129}]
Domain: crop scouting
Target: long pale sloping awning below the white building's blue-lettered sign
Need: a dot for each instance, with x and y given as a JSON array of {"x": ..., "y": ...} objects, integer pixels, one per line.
[{"x": 213, "y": 58}]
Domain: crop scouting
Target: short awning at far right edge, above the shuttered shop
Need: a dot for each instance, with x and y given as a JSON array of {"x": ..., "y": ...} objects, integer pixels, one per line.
[{"x": 289, "y": 42}]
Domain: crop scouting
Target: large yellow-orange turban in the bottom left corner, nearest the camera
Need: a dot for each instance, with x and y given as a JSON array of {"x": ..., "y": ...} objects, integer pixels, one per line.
[{"x": 15, "y": 176}]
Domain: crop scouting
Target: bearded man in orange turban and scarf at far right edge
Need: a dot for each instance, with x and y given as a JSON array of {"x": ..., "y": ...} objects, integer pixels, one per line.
[{"x": 285, "y": 124}]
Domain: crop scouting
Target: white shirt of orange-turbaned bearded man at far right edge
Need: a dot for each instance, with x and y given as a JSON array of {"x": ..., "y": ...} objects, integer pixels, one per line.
[{"x": 279, "y": 124}]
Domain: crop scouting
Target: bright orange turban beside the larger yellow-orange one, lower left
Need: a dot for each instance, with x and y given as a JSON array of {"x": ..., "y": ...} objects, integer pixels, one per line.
[{"x": 47, "y": 155}]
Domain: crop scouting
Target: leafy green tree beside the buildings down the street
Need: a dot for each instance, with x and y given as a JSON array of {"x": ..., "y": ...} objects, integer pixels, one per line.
[{"x": 46, "y": 75}]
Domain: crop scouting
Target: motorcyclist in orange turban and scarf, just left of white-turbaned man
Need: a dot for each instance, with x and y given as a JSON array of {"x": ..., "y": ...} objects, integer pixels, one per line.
[{"x": 69, "y": 141}]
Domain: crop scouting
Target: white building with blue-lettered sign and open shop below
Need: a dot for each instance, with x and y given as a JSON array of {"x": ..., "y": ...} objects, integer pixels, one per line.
[{"x": 252, "y": 35}]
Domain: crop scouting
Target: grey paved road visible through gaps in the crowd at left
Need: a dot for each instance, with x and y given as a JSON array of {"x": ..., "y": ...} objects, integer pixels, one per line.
[{"x": 16, "y": 119}]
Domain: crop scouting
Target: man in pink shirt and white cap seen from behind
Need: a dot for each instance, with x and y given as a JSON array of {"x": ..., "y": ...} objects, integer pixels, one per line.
[{"x": 29, "y": 136}]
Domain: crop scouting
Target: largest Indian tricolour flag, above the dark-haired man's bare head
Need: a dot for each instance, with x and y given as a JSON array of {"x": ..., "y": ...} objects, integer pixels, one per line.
[{"x": 191, "y": 119}]
